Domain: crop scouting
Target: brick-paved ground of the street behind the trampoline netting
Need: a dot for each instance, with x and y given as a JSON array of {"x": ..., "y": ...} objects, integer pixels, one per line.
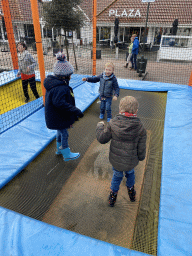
[{"x": 163, "y": 71}]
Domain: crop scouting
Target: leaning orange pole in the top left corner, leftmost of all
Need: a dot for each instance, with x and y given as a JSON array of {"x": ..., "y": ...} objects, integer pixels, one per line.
[{"x": 10, "y": 33}]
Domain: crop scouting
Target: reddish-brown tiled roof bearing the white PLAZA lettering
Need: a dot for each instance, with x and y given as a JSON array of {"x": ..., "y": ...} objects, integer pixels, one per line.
[{"x": 160, "y": 11}]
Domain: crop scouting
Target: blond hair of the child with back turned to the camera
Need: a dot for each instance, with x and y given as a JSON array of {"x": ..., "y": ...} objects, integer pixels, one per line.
[{"x": 128, "y": 104}]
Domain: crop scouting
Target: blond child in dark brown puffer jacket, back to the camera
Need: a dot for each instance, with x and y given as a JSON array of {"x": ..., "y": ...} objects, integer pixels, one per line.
[{"x": 128, "y": 145}]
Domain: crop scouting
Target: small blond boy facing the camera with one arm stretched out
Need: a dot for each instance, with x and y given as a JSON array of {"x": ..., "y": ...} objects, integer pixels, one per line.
[{"x": 108, "y": 90}]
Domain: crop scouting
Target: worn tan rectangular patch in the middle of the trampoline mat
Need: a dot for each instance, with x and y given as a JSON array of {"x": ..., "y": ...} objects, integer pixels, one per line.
[{"x": 82, "y": 204}]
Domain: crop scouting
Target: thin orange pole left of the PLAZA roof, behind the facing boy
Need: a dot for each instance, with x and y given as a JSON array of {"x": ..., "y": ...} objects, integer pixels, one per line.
[{"x": 94, "y": 36}]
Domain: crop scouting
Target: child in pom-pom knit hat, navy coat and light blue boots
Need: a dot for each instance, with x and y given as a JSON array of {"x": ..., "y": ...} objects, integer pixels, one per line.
[{"x": 60, "y": 109}]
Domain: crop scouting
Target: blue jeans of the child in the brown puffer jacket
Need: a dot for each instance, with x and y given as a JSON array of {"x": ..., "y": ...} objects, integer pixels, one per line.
[{"x": 118, "y": 176}]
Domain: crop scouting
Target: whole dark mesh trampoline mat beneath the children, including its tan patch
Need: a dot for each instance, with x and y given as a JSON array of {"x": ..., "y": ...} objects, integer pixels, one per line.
[{"x": 73, "y": 195}]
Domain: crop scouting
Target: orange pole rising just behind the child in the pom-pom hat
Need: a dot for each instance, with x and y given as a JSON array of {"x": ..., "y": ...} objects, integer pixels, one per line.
[{"x": 37, "y": 30}]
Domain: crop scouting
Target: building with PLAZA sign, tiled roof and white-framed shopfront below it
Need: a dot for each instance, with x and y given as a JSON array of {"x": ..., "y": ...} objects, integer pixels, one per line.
[{"x": 132, "y": 16}]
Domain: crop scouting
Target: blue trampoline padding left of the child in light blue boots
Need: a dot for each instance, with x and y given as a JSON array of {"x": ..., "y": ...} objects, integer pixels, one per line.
[{"x": 21, "y": 144}]
